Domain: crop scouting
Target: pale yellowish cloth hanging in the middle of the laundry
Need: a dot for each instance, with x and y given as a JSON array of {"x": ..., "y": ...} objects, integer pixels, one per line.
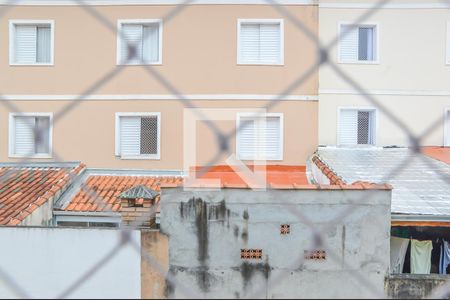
[{"x": 421, "y": 256}]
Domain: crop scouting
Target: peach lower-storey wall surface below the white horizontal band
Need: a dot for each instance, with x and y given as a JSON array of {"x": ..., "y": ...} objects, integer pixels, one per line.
[{"x": 87, "y": 132}]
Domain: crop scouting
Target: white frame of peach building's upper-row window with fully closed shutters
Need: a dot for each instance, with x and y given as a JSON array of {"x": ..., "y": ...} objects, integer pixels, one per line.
[{"x": 239, "y": 59}]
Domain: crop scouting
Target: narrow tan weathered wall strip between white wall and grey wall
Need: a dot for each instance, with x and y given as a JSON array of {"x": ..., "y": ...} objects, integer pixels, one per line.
[{"x": 154, "y": 245}]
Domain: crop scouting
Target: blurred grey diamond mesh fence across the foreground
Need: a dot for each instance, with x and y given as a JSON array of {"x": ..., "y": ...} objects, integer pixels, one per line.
[{"x": 223, "y": 139}]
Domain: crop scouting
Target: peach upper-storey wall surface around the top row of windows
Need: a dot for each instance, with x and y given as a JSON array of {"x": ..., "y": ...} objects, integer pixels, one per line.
[{"x": 199, "y": 52}]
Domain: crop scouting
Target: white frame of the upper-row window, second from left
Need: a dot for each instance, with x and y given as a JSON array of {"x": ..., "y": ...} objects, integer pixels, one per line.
[{"x": 122, "y": 22}]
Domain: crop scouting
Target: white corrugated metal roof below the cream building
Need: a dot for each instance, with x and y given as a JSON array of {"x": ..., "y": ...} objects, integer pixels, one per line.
[{"x": 421, "y": 184}]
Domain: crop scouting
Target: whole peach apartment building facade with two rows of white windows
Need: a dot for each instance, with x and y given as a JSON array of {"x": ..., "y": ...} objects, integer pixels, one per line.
[{"x": 67, "y": 71}]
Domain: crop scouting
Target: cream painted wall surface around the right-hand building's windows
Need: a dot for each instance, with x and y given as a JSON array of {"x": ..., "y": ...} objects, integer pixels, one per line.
[{"x": 411, "y": 74}]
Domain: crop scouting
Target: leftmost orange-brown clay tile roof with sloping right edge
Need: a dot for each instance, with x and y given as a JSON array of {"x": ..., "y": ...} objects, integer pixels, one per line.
[{"x": 24, "y": 189}]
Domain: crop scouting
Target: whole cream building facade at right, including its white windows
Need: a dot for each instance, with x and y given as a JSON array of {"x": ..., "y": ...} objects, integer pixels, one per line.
[{"x": 399, "y": 58}]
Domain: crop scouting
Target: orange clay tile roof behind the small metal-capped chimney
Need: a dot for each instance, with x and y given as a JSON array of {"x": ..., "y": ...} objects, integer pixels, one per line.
[{"x": 101, "y": 193}]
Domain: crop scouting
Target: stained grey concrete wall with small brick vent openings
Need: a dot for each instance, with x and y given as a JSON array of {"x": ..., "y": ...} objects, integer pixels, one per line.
[{"x": 208, "y": 229}]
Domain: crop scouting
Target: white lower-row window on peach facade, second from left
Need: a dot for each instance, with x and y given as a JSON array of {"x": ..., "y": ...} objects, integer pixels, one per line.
[{"x": 138, "y": 135}]
